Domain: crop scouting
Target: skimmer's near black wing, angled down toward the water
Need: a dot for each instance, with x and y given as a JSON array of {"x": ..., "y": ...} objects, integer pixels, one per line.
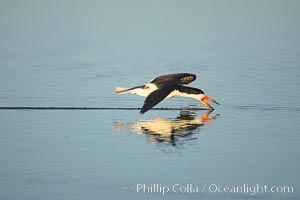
[{"x": 158, "y": 95}]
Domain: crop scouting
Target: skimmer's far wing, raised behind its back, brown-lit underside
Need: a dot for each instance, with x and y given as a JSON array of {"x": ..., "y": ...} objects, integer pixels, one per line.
[{"x": 182, "y": 78}]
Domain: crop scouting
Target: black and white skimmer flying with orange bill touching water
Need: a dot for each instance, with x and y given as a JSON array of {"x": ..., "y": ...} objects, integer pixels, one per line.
[{"x": 165, "y": 87}]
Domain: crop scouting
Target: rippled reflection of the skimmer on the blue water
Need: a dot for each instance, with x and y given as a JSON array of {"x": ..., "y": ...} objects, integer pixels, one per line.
[{"x": 173, "y": 131}]
